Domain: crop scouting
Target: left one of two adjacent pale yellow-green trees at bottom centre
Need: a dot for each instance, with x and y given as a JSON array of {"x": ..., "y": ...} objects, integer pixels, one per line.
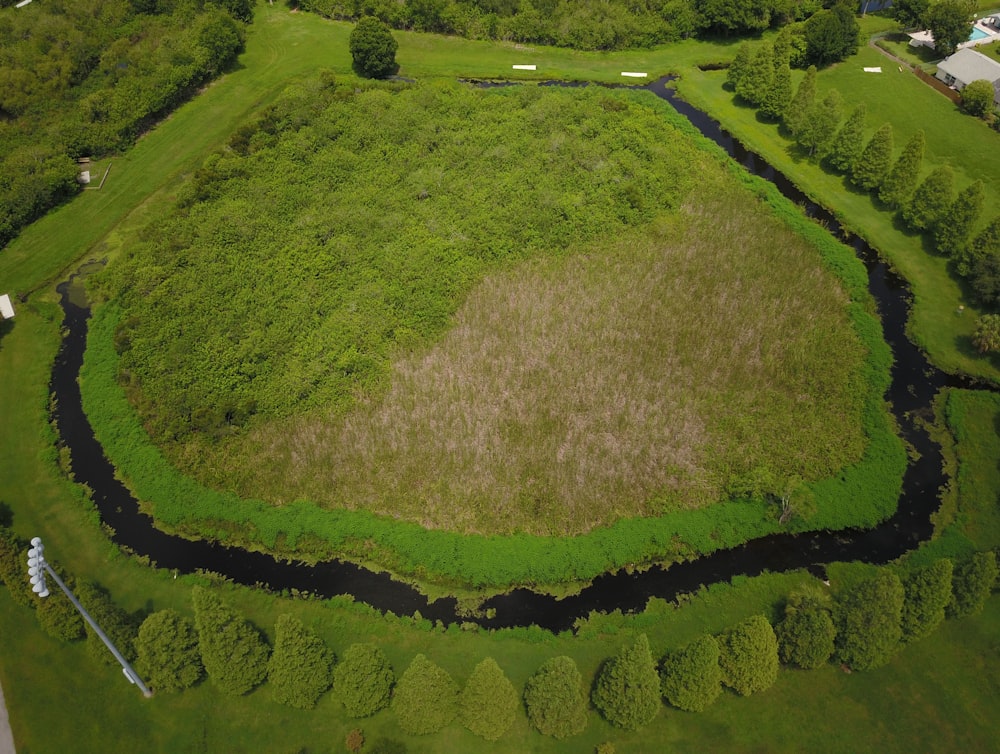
[{"x": 425, "y": 699}]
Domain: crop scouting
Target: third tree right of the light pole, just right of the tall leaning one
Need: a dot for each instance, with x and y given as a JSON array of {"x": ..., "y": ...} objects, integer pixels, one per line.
[{"x": 299, "y": 670}]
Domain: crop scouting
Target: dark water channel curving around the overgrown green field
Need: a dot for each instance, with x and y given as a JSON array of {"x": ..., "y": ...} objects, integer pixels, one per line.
[{"x": 914, "y": 385}]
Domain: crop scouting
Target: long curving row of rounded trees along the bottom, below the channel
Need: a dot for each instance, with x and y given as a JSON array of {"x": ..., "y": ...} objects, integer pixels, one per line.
[{"x": 862, "y": 627}]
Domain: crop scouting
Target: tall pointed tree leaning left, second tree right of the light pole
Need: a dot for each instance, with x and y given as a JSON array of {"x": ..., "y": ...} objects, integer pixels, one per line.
[{"x": 232, "y": 650}]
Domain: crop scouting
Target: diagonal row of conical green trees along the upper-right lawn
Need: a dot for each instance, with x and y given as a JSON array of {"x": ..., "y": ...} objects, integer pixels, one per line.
[{"x": 762, "y": 78}]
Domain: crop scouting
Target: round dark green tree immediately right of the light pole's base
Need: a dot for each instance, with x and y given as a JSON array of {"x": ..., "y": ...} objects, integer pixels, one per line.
[{"x": 168, "y": 655}]
